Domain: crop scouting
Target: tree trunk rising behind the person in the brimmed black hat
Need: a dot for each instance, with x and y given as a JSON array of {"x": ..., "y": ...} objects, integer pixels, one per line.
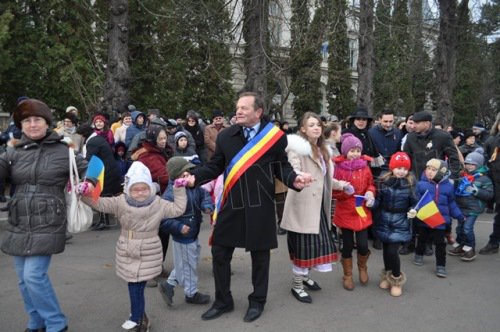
[{"x": 366, "y": 62}]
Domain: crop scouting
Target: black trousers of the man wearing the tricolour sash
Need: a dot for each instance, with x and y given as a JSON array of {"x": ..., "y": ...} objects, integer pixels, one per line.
[{"x": 221, "y": 263}]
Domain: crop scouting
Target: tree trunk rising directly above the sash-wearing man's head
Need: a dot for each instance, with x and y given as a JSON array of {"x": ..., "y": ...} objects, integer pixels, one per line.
[{"x": 255, "y": 25}]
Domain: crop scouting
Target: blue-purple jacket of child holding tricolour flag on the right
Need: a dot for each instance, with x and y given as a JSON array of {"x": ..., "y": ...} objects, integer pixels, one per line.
[{"x": 443, "y": 194}]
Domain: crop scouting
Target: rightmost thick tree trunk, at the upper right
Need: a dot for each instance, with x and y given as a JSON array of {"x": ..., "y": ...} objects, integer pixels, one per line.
[{"x": 446, "y": 60}]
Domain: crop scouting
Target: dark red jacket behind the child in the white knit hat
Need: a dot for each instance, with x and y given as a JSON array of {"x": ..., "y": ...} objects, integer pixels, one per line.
[{"x": 155, "y": 160}]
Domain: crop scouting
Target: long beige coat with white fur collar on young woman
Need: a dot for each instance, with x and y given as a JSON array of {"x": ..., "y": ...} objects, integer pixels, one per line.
[{"x": 302, "y": 209}]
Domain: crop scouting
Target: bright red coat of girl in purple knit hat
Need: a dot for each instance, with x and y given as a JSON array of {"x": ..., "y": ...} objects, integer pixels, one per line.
[{"x": 357, "y": 172}]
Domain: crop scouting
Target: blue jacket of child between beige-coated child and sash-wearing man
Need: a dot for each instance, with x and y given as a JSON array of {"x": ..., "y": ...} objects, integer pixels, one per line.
[{"x": 198, "y": 200}]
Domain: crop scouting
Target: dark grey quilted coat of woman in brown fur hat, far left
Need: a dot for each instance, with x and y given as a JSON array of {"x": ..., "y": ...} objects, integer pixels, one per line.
[{"x": 37, "y": 211}]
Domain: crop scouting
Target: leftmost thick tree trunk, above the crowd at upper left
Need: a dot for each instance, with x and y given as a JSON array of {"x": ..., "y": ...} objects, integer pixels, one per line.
[{"x": 116, "y": 92}]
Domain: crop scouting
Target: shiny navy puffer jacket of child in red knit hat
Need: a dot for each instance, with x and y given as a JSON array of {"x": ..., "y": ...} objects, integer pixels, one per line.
[{"x": 394, "y": 198}]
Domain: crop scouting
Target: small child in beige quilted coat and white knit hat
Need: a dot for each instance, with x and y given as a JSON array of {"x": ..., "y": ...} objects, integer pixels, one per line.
[{"x": 138, "y": 250}]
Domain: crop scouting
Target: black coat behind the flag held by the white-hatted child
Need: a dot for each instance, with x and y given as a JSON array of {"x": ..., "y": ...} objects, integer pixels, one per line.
[{"x": 98, "y": 146}]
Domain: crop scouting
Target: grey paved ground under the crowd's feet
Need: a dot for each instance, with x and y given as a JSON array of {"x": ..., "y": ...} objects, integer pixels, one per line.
[{"x": 94, "y": 299}]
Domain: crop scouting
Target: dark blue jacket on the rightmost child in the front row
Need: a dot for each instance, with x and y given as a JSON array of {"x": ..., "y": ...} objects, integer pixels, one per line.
[{"x": 474, "y": 204}]
